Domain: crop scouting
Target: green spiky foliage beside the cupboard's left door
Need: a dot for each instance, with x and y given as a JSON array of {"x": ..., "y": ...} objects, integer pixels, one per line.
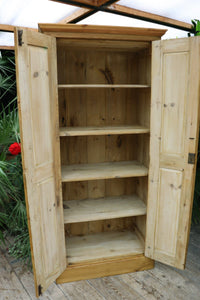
[{"x": 13, "y": 219}]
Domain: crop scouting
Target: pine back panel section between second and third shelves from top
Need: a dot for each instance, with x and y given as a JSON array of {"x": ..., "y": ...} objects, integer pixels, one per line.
[{"x": 96, "y": 149}]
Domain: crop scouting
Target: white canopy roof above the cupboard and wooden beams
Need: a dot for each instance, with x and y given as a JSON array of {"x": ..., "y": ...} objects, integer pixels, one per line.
[{"x": 29, "y": 13}]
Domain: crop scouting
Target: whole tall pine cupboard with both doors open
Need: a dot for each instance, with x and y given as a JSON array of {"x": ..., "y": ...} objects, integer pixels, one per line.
[{"x": 109, "y": 120}]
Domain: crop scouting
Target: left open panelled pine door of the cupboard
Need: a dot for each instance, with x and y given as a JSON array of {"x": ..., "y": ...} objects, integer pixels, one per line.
[{"x": 37, "y": 98}]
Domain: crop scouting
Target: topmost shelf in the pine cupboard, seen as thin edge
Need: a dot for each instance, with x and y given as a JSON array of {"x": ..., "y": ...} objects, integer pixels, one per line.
[{"x": 110, "y": 86}]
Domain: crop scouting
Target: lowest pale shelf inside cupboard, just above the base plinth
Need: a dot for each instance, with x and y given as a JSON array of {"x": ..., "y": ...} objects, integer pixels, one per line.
[{"x": 102, "y": 245}]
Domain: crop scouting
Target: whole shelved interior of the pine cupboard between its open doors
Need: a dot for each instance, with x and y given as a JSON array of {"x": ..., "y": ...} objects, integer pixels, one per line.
[{"x": 104, "y": 145}]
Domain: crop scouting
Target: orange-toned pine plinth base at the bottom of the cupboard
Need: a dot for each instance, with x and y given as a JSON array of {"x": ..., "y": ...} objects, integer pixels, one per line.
[{"x": 95, "y": 269}]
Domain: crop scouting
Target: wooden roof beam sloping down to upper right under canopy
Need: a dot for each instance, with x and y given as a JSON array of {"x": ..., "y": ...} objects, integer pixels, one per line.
[{"x": 146, "y": 16}]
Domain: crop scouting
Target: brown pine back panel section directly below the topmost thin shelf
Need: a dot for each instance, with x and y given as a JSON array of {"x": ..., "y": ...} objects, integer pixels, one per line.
[{"x": 104, "y": 107}]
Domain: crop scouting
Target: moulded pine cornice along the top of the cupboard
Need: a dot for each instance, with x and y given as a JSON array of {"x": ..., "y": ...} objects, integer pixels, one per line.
[{"x": 112, "y": 32}]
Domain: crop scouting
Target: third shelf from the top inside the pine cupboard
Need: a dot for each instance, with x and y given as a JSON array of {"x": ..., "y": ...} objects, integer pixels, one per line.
[{"x": 103, "y": 171}]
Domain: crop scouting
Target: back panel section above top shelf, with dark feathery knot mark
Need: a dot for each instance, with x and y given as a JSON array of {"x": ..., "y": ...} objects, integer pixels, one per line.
[{"x": 97, "y": 66}]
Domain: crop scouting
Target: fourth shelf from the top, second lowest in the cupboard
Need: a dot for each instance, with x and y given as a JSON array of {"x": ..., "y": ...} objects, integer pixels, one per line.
[{"x": 103, "y": 208}]
